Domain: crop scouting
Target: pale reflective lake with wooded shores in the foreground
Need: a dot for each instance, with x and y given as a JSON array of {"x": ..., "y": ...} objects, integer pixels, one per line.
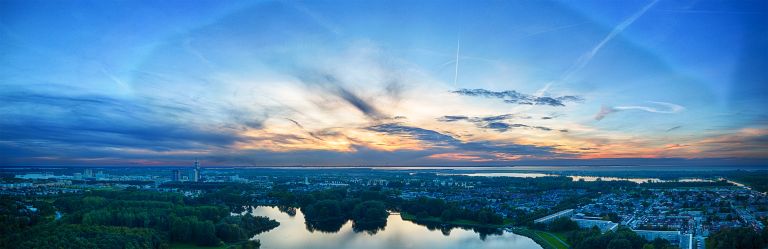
[{"x": 398, "y": 233}]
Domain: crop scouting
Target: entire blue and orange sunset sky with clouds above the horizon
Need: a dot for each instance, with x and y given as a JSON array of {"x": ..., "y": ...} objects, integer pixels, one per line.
[{"x": 388, "y": 83}]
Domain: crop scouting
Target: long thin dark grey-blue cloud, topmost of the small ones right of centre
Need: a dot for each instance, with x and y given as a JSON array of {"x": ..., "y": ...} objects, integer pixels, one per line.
[{"x": 514, "y": 97}]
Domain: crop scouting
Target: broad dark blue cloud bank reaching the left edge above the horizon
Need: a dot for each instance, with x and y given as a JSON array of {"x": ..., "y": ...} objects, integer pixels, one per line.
[{"x": 91, "y": 120}]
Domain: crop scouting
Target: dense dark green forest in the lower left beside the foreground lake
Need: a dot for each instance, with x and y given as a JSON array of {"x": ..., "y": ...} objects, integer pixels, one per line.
[{"x": 146, "y": 219}]
